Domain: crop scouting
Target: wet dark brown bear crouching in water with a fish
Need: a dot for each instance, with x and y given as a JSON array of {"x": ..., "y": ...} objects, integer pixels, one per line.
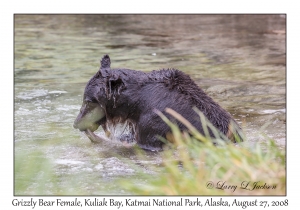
[{"x": 128, "y": 100}]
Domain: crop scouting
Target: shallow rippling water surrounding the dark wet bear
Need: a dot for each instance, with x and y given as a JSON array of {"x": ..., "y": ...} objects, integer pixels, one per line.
[{"x": 239, "y": 60}]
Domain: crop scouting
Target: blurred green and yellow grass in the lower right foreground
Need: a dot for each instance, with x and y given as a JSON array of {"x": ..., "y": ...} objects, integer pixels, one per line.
[{"x": 195, "y": 166}]
